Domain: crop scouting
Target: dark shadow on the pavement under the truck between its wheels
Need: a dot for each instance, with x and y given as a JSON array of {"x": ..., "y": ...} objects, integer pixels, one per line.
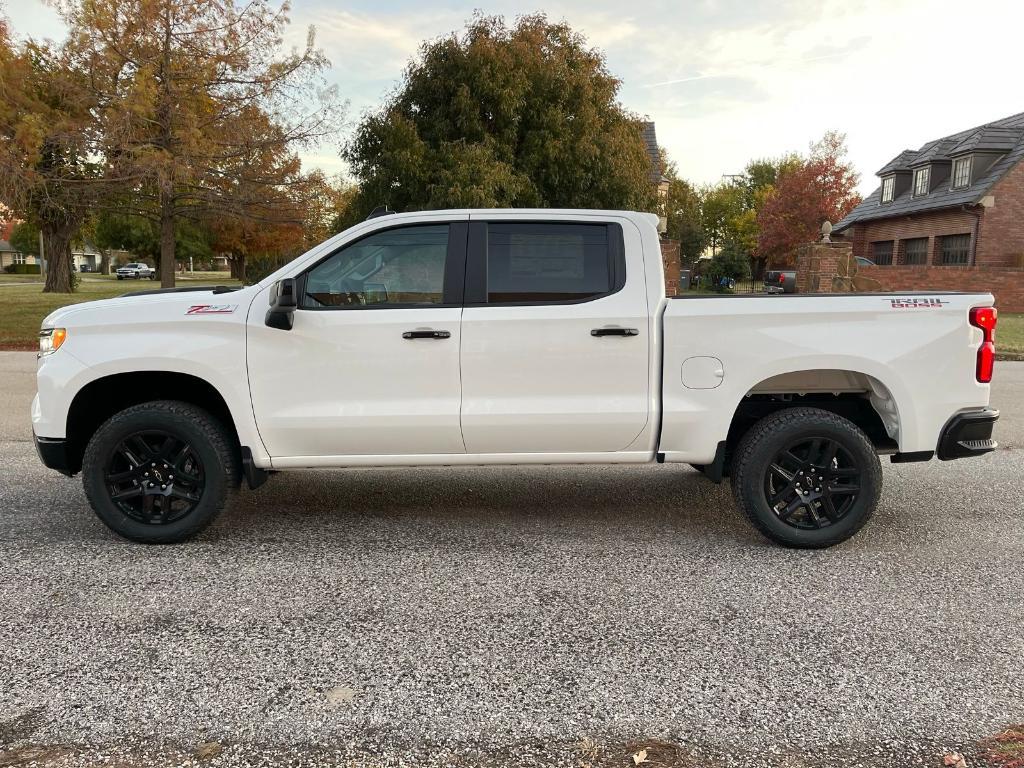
[{"x": 588, "y": 496}]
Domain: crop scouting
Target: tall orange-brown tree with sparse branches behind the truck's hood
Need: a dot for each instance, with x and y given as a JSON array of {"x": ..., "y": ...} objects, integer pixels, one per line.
[{"x": 198, "y": 101}]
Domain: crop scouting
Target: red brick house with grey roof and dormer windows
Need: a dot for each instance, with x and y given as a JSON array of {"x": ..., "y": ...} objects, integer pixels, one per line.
[{"x": 949, "y": 217}]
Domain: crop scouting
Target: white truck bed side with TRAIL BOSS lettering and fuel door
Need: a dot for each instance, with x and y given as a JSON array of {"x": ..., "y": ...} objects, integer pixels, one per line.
[{"x": 912, "y": 356}]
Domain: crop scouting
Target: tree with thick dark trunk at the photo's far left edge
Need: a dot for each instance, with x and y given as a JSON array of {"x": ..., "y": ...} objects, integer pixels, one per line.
[{"x": 48, "y": 149}]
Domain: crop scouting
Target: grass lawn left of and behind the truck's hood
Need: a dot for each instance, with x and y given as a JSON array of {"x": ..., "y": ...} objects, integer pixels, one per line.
[{"x": 24, "y": 305}]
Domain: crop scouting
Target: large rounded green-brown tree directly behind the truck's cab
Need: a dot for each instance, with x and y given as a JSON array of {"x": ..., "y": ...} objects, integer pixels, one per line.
[{"x": 499, "y": 116}]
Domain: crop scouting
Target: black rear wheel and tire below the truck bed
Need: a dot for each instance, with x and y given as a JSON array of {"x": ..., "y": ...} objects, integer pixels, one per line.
[{"x": 824, "y": 495}]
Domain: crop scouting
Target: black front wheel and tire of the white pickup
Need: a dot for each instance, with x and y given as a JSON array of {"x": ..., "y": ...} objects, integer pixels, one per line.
[{"x": 154, "y": 506}]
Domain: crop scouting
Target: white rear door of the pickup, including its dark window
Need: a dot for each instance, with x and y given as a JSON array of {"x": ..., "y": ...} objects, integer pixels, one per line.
[{"x": 556, "y": 337}]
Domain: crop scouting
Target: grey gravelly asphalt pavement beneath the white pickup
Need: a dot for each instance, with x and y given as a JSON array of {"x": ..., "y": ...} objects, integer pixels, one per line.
[{"x": 519, "y": 617}]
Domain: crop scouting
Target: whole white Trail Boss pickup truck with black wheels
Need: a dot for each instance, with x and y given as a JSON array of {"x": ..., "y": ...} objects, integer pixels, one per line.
[{"x": 506, "y": 337}]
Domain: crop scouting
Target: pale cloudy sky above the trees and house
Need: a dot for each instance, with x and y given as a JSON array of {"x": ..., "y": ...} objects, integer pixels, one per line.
[{"x": 726, "y": 81}]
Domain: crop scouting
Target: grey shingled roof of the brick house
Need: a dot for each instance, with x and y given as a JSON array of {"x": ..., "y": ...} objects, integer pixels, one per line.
[{"x": 1005, "y": 137}]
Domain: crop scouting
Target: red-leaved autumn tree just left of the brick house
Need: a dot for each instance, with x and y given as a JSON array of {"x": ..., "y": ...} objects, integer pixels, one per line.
[{"x": 823, "y": 189}]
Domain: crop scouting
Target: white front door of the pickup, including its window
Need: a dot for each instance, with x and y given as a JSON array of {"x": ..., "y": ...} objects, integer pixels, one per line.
[{"x": 371, "y": 367}]
